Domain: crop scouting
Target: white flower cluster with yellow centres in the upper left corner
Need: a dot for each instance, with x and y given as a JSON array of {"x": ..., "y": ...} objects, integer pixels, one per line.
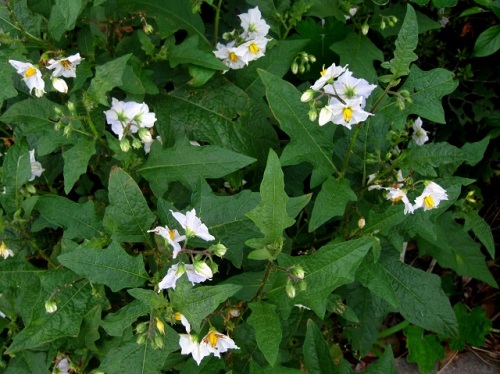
[{"x": 32, "y": 76}]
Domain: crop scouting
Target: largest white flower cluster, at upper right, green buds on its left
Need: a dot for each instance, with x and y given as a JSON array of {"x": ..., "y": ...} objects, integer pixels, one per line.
[{"x": 346, "y": 97}]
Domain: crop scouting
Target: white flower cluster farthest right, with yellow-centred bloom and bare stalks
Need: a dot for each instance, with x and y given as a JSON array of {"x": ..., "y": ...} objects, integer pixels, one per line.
[{"x": 430, "y": 197}]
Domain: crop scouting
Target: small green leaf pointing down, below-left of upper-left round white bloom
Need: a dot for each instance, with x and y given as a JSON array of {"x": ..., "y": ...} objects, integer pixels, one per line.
[{"x": 76, "y": 160}]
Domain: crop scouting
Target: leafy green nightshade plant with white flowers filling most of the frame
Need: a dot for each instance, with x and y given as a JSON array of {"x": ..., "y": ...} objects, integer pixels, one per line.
[{"x": 181, "y": 216}]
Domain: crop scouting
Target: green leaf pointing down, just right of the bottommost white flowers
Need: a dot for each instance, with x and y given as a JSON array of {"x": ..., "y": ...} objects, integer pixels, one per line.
[{"x": 267, "y": 328}]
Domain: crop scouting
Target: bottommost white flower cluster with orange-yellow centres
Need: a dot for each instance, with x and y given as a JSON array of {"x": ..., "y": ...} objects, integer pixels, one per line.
[{"x": 214, "y": 342}]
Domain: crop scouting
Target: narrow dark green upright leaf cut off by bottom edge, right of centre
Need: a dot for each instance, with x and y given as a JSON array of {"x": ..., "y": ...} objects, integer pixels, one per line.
[{"x": 317, "y": 357}]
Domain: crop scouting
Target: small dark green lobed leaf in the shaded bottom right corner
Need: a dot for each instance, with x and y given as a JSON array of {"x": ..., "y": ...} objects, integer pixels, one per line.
[{"x": 472, "y": 327}]
